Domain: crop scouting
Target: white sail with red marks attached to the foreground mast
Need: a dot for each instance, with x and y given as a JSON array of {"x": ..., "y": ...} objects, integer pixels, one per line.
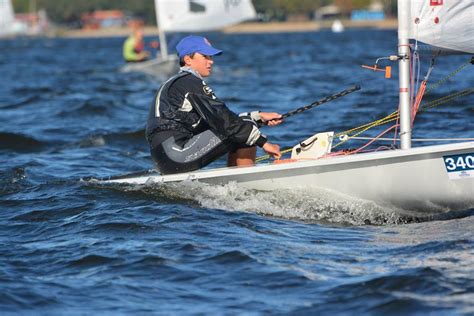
[{"x": 445, "y": 24}]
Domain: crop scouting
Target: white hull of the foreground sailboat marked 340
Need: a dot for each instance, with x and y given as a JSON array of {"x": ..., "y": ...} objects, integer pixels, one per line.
[{"x": 414, "y": 178}]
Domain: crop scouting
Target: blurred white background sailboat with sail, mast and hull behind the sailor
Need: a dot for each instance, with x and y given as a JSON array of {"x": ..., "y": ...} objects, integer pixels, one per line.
[{"x": 190, "y": 16}]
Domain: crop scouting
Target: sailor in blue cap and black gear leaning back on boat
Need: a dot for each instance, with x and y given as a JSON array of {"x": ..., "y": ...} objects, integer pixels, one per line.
[{"x": 189, "y": 127}]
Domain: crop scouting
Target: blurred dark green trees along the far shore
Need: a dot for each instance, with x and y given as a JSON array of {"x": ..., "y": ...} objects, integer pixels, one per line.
[{"x": 70, "y": 11}]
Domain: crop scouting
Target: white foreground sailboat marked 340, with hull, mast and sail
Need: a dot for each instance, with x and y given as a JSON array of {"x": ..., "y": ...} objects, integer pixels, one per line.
[{"x": 435, "y": 178}]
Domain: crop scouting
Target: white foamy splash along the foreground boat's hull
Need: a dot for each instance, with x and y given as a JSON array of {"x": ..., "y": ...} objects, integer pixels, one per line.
[{"x": 309, "y": 205}]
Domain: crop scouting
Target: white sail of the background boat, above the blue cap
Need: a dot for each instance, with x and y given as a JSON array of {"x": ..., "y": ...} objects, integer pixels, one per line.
[{"x": 201, "y": 15}]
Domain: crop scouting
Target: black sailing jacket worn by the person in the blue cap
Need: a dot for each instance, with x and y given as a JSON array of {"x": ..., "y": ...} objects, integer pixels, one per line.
[{"x": 186, "y": 105}]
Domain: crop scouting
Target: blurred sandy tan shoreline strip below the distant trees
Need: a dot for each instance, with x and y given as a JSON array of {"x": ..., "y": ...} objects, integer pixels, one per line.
[{"x": 243, "y": 28}]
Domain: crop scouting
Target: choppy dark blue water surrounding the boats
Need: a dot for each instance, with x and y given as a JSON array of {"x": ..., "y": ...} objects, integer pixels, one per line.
[{"x": 70, "y": 246}]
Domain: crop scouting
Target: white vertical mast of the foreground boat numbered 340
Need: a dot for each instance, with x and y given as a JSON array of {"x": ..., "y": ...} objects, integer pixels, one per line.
[{"x": 404, "y": 73}]
